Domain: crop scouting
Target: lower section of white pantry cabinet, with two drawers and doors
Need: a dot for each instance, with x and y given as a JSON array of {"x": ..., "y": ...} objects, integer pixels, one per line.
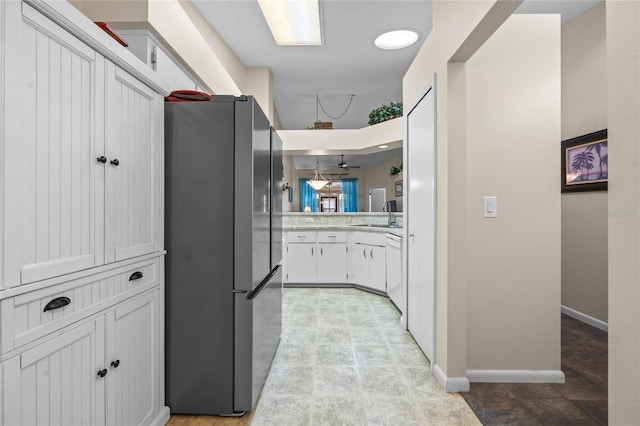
[{"x": 103, "y": 369}]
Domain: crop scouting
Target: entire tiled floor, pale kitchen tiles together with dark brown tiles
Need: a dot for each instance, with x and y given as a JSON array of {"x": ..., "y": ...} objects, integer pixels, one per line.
[{"x": 345, "y": 360}]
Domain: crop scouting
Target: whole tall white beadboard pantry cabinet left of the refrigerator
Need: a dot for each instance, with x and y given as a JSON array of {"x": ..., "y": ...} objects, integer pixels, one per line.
[{"x": 81, "y": 224}]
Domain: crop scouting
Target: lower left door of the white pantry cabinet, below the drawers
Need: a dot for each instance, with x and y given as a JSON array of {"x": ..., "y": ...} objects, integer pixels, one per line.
[{"x": 56, "y": 382}]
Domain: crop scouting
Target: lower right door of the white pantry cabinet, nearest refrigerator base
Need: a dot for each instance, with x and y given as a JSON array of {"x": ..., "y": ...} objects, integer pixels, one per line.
[{"x": 131, "y": 361}]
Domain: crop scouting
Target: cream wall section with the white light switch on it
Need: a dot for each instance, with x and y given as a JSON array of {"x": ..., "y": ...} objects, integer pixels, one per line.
[{"x": 513, "y": 131}]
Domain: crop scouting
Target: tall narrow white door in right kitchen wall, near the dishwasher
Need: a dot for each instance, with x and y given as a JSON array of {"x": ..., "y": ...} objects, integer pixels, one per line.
[{"x": 420, "y": 201}]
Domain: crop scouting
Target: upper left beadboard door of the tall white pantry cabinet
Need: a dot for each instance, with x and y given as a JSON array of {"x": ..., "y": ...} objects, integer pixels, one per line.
[{"x": 54, "y": 204}]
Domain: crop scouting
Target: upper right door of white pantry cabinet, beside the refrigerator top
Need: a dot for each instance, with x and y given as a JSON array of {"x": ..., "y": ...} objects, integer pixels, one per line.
[{"x": 133, "y": 137}]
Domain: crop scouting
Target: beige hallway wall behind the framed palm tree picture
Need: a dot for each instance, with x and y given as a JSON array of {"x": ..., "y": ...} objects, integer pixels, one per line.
[{"x": 584, "y": 110}]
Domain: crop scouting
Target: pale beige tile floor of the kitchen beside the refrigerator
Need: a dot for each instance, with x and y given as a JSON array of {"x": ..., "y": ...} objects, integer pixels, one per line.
[{"x": 344, "y": 359}]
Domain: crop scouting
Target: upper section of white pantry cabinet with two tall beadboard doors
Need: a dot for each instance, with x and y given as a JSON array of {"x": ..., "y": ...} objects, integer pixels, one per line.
[{"x": 82, "y": 164}]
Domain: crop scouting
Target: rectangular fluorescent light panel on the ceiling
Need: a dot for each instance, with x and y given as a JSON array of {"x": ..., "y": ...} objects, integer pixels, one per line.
[{"x": 293, "y": 22}]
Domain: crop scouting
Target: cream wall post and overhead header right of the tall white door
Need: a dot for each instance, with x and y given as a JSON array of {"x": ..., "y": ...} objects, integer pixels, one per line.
[{"x": 458, "y": 26}]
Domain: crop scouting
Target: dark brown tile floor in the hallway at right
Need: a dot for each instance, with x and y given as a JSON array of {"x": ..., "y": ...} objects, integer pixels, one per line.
[{"x": 581, "y": 400}]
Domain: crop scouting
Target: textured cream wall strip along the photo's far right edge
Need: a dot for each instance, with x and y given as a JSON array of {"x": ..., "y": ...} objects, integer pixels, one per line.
[{"x": 623, "y": 119}]
